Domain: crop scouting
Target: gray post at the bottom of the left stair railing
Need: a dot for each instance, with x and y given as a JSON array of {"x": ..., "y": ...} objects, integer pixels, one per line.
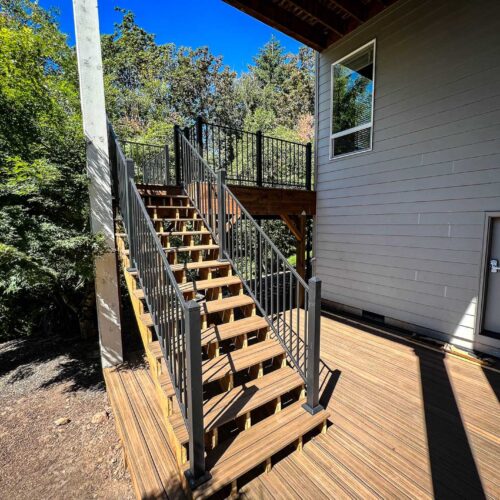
[{"x": 196, "y": 474}]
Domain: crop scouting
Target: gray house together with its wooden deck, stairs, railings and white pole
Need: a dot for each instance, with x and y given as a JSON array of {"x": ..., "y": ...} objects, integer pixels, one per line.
[{"x": 241, "y": 367}]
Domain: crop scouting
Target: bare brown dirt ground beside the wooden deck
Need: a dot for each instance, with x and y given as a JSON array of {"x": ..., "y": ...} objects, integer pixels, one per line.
[{"x": 57, "y": 431}]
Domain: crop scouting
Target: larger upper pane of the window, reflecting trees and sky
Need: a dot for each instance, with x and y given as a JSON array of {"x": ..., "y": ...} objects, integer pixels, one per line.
[{"x": 352, "y": 91}]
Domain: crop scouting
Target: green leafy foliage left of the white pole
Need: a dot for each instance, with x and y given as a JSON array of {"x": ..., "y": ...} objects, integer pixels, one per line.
[{"x": 46, "y": 248}]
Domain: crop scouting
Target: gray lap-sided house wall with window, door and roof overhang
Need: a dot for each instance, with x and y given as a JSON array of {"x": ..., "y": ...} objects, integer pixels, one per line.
[{"x": 407, "y": 170}]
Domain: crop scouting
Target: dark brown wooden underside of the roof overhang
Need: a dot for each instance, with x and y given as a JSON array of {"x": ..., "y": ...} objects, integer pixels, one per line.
[{"x": 316, "y": 23}]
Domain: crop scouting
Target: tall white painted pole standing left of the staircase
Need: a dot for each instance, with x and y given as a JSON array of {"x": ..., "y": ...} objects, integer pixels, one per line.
[{"x": 88, "y": 49}]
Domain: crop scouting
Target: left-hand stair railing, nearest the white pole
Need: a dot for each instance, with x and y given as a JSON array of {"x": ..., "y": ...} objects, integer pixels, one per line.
[{"x": 176, "y": 322}]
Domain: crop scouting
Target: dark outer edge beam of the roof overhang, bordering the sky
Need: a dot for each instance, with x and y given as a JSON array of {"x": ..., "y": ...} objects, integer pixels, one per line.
[{"x": 283, "y": 20}]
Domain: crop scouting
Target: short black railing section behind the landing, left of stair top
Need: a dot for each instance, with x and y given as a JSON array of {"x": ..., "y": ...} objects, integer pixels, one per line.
[{"x": 152, "y": 163}]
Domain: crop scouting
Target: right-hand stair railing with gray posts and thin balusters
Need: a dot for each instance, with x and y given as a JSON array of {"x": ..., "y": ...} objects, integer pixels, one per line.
[{"x": 291, "y": 306}]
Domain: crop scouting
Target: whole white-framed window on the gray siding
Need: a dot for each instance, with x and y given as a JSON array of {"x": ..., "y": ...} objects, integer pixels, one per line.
[{"x": 353, "y": 79}]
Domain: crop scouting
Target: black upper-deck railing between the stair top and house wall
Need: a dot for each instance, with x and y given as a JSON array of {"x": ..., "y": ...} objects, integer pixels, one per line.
[{"x": 252, "y": 158}]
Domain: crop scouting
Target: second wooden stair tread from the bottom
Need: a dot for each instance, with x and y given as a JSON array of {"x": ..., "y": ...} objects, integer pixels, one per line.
[{"x": 230, "y": 405}]
